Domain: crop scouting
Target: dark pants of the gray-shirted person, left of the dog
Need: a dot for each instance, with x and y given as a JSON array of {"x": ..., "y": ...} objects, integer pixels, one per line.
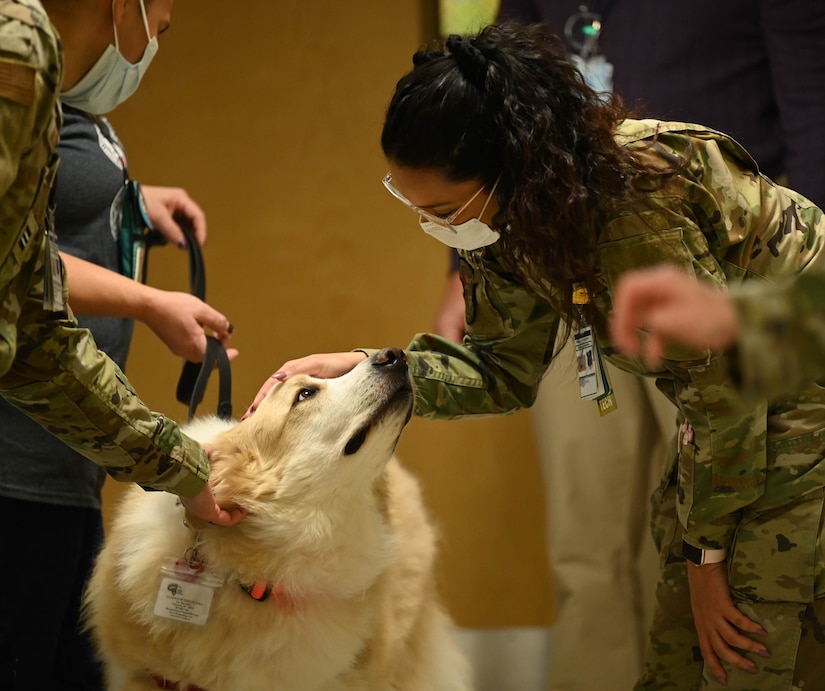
[{"x": 46, "y": 556}]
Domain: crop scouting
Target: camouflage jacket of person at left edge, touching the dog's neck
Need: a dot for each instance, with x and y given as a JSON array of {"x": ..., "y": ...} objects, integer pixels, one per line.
[{"x": 50, "y": 368}]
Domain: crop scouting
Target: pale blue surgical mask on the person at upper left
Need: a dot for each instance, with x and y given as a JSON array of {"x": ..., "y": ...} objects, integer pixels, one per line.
[{"x": 112, "y": 79}]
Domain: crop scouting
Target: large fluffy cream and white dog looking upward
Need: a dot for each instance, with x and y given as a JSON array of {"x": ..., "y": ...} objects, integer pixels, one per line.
[{"x": 326, "y": 584}]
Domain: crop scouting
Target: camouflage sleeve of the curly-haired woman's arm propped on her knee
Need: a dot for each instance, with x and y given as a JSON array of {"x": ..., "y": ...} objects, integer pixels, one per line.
[{"x": 751, "y": 231}]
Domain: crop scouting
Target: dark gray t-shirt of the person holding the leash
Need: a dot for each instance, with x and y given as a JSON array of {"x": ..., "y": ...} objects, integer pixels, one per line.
[{"x": 34, "y": 465}]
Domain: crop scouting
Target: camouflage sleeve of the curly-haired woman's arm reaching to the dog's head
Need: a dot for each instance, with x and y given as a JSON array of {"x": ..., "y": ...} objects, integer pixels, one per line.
[{"x": 509, "y": 341}]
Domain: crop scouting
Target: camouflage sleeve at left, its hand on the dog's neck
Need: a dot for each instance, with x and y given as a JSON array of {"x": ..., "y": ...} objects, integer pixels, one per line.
[{"x": 64, "y": 382}]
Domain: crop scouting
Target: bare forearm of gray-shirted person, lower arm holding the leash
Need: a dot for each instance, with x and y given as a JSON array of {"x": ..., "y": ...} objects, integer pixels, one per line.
[{"x": 95, "y": 291}]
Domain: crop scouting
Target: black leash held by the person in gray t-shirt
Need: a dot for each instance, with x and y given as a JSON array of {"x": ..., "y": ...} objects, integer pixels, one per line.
[{"x": 195, "y": 375}]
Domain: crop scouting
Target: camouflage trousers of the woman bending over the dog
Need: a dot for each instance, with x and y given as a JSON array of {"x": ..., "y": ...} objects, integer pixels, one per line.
[{"x": 775, "y": 581}]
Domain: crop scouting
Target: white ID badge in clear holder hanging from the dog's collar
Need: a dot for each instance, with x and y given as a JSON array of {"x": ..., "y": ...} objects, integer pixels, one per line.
[{"x": 186, "y": 591}]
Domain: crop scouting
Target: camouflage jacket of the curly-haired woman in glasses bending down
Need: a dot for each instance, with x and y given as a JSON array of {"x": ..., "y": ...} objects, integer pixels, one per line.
[{"x": 720, "y": 220}]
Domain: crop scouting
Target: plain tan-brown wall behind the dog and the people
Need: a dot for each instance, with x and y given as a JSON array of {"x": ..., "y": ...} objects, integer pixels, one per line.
[{"x": 269, "y": 113}]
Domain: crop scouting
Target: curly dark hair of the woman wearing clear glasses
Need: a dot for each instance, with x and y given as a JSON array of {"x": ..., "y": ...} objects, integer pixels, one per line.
[{"x": 508, "y": 102}]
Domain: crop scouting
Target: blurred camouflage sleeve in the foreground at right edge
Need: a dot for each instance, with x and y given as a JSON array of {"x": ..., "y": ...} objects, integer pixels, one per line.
[{"x": 782, "y": 341}]
